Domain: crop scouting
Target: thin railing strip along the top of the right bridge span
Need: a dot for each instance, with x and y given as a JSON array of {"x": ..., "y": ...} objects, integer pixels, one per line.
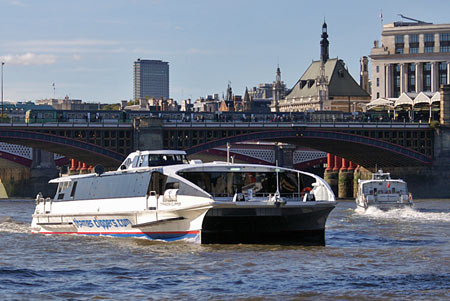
[{"x": 309, "y": 124}]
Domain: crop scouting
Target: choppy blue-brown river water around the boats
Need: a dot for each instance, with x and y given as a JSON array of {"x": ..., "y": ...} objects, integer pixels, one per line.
[{"x": 401, "y": 254}]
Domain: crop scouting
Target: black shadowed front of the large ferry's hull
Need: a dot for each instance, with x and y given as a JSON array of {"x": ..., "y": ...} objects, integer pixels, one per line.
[{"x": 302, "y": 225}]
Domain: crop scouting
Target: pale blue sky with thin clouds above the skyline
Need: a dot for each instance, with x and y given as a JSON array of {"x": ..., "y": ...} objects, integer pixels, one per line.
[{"x": 87, "y": 48}]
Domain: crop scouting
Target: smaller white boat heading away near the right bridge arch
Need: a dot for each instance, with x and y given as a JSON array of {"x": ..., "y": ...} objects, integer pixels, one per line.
[{"x": 383, "y": 193}]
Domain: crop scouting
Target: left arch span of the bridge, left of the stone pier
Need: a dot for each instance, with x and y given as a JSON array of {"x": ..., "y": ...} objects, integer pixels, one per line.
[{"x": 106, "y": 144}]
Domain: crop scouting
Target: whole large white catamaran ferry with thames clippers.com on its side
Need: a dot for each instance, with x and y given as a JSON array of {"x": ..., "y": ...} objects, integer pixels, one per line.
[{"x": 161, "y": 195}]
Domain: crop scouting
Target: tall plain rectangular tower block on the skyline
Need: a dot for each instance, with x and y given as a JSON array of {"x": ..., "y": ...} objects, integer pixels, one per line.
[{"x": 151, "y": 79}]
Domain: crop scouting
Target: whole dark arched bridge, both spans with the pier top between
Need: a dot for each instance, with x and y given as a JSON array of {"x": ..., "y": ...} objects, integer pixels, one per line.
[{"x": 365, "y": 143}]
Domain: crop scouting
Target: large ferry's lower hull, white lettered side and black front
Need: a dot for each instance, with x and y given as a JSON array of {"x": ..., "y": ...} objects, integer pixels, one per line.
[{"x": 292, "y": 224}]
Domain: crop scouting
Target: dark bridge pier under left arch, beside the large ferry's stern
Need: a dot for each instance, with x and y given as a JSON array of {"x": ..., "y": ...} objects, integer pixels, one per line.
[{"x": 42, "y": 170}]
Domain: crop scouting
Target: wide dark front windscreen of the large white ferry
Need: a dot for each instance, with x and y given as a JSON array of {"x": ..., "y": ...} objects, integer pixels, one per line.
[{"x": 226, "y": 184}]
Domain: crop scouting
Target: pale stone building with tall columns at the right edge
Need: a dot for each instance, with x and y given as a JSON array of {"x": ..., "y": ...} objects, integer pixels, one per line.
[{"x": 412, "y": 57}]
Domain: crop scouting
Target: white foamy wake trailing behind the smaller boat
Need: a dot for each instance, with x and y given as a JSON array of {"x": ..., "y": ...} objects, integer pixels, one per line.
[{"x": 406, "y": 214}]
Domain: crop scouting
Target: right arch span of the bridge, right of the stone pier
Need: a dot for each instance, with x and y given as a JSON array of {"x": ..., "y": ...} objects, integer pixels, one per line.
[{"x": 367, "y": 144}]
